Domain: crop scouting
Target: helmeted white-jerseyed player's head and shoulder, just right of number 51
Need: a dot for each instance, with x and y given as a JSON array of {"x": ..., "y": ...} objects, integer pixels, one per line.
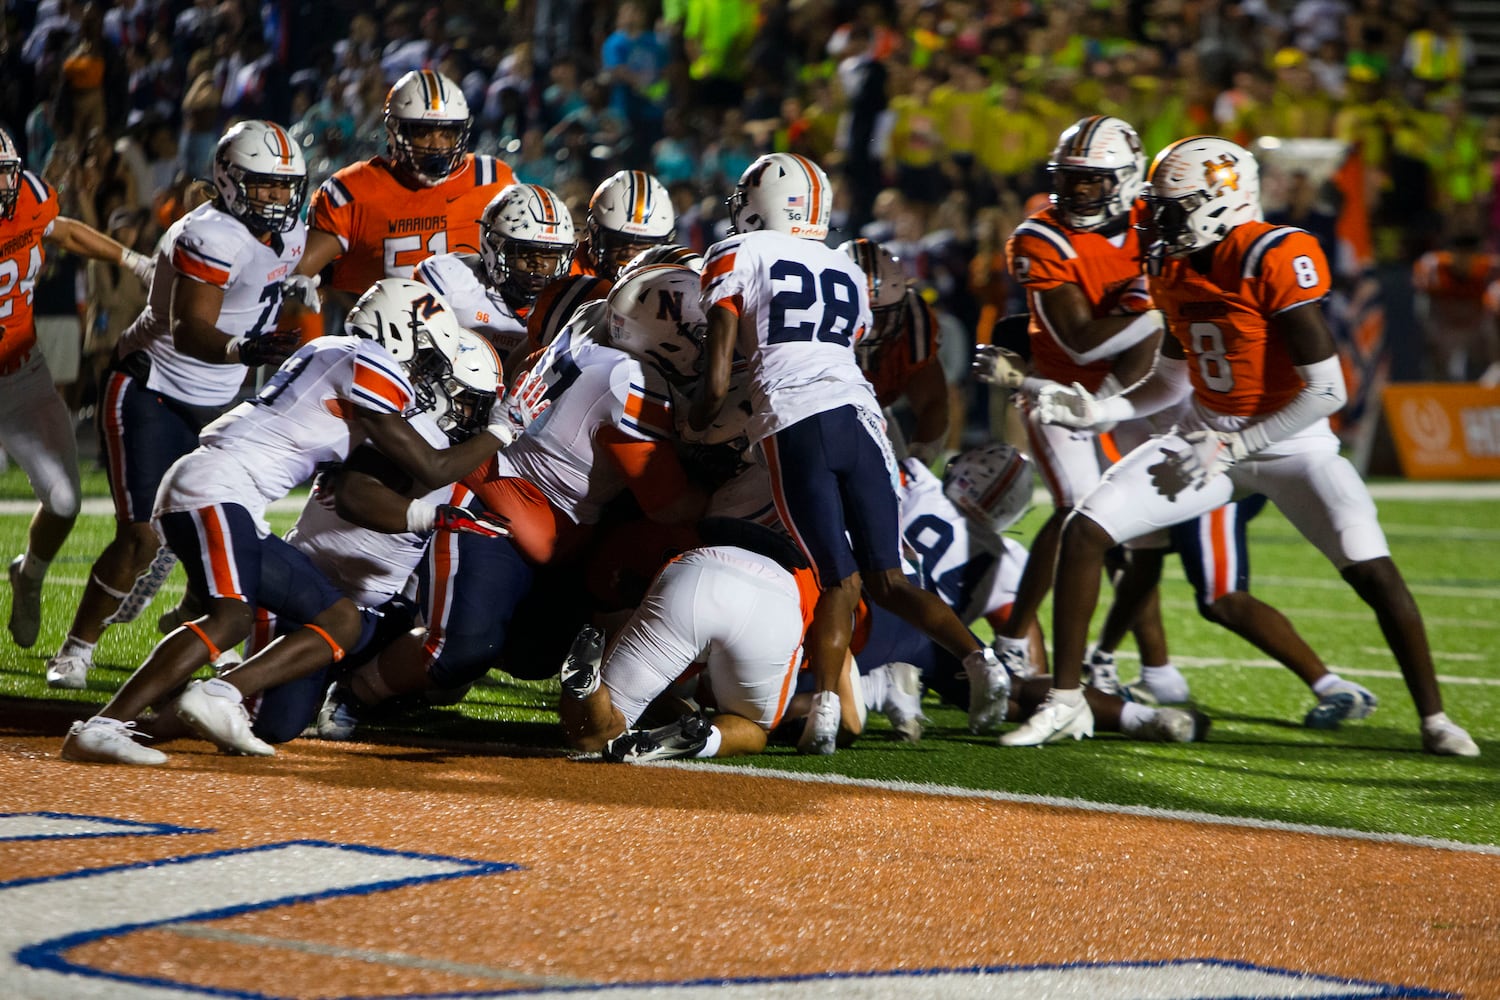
[{"x": 526, "y": 242}]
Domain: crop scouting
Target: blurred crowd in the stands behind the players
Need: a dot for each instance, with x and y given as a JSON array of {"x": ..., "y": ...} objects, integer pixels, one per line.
[{"x": 935, "y": 118}]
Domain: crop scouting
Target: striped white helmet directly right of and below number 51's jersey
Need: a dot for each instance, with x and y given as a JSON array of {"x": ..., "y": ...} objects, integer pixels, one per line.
[{"x": 527, "y": 241}]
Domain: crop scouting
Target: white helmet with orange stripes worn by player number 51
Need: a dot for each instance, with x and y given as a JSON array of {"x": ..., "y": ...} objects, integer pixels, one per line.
[{"x": 427, "y": 127}]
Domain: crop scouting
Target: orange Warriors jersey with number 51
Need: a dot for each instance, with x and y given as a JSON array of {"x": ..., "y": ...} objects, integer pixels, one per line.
[{"x": 388, "y": 229}]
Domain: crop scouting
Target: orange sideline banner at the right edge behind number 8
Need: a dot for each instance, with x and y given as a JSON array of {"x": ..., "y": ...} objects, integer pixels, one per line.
[{"x": 1445, "y": 431}]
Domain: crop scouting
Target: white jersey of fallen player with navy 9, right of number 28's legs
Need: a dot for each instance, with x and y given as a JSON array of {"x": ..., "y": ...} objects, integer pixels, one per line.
[{"x": 973, "y": 572}]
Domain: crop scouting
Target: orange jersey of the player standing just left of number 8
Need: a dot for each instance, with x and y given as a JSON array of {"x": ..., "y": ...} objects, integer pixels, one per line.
[{"x": 1045, "y": 254}]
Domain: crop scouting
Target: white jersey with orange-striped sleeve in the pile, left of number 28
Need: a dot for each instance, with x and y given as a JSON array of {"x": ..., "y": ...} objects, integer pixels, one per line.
[{"x": 557, "y": 452}]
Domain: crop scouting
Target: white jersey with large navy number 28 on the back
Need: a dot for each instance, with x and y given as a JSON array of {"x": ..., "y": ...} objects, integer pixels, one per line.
[{"x": 811, "y": 308}]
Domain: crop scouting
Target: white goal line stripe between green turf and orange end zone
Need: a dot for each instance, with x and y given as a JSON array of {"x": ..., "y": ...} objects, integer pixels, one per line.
[{"x": 944, "y": 791}]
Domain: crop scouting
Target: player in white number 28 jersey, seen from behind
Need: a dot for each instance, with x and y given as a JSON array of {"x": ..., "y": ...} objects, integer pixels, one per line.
[{"x": 796, "y": 310}]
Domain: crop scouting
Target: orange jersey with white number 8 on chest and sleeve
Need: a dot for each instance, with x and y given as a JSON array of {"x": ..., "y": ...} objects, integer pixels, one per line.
[{"x": 1222, "y": 319}]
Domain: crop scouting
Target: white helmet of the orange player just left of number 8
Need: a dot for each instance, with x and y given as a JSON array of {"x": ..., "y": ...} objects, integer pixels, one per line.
[{"x": 1097, "y": 148}]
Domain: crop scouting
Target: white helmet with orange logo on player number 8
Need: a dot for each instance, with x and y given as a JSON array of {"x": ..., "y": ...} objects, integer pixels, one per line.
[{"x": 1198, "y": 191}]
